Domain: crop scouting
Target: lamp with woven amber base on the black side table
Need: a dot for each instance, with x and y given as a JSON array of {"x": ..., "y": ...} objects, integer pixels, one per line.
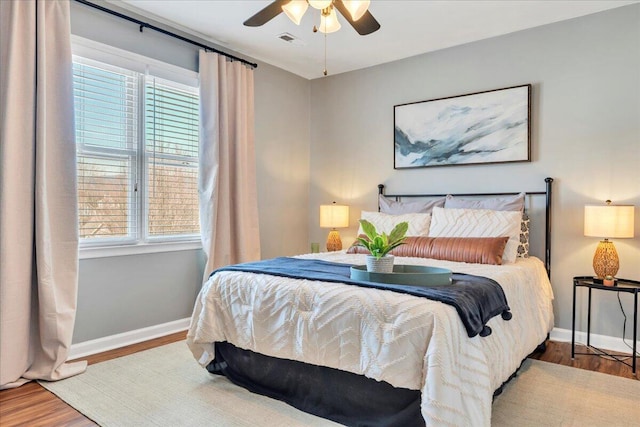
[{"x": 607, "y": 221}]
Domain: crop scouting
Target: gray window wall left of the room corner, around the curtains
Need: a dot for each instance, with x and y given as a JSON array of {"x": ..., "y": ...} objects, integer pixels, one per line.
[{"x": 124, "y": 293}]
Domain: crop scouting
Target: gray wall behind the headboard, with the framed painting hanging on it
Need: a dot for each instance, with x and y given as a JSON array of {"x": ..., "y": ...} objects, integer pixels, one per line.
[{"x": 585, "y": 133}]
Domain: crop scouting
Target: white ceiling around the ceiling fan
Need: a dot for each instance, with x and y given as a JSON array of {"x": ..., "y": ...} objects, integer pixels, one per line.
[{"x": 408, "y": 28}]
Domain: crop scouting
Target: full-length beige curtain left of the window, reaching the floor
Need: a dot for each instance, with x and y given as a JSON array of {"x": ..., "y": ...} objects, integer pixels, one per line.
[{"x": 38, "y": 198}]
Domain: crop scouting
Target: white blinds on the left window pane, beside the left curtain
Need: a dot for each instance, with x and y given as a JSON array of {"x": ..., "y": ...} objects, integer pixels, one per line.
[{"x": 106, "y": 137}]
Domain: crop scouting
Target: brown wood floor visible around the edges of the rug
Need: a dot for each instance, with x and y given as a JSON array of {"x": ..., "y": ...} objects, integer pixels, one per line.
[{"x": 33, "y": 406}]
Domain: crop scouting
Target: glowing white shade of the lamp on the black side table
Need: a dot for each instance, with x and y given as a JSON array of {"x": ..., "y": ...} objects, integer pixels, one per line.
[{"x": 609, "y": 221}]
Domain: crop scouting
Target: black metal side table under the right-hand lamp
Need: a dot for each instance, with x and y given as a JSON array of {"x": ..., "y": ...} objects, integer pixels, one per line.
[{"x": 621, "y": 285}]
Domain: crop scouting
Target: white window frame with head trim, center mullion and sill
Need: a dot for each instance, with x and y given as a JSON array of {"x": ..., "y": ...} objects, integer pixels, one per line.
[{"x": 139, "y": 242}]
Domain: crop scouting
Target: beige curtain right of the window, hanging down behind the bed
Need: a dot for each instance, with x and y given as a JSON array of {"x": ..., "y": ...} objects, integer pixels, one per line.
[{"x": 227, "y": 174}]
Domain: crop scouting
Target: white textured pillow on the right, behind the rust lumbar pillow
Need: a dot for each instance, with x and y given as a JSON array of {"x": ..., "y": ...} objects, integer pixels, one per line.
[{"x": 478, "y": 223}]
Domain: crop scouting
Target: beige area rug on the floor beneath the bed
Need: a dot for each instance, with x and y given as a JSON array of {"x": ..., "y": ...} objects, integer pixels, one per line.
[{"x": 166, "y": 387}]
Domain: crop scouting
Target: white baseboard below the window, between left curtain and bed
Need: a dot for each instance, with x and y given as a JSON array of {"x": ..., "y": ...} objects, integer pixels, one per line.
[{"x": 99, "y": 345}]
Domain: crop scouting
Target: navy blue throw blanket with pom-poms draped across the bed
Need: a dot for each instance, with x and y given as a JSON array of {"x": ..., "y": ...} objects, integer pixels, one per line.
[{"x": 476, "y": 299}]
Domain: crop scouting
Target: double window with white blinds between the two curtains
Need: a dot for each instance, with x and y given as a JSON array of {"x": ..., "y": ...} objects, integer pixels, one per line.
[{"x": 137, "y": 149}]
